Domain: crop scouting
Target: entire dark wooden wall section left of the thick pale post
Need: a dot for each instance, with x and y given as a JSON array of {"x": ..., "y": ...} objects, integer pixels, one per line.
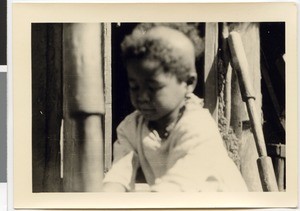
[{"x": 46, "y": 106}]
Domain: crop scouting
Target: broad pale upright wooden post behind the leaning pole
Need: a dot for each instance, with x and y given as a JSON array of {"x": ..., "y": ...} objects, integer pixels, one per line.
[{"x": 239, "y": 118}]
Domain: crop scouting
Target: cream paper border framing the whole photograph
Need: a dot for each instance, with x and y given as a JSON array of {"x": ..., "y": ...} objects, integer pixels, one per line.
[{"x": 25, "y": 14}]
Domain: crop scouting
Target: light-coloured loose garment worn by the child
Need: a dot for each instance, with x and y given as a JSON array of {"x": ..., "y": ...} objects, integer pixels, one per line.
[{"x": 192, "y": 158}]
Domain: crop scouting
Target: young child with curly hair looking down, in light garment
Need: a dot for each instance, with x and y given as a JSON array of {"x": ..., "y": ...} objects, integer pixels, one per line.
[{"x": 170, "y": 136}]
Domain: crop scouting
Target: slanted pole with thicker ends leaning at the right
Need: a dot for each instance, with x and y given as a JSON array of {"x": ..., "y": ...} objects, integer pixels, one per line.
[{"x": 240, "y": 64}]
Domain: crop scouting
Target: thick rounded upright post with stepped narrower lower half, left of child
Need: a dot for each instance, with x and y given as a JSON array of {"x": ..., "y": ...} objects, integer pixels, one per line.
[{"x": 84, "y": 106}]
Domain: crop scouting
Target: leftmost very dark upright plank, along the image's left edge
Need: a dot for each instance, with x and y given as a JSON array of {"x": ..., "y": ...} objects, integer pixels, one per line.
[{"x": 39, "y": 66}]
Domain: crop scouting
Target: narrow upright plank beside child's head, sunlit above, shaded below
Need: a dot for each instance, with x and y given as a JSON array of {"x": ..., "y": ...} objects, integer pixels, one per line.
[{"x": 211, "y": 69}]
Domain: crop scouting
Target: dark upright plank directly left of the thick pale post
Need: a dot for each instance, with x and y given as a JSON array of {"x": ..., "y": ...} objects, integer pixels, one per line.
[{"x": 53, "y": 108}]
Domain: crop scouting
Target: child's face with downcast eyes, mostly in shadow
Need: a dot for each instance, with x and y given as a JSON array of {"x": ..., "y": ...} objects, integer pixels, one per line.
[{"x": 154, "y": 93}]
